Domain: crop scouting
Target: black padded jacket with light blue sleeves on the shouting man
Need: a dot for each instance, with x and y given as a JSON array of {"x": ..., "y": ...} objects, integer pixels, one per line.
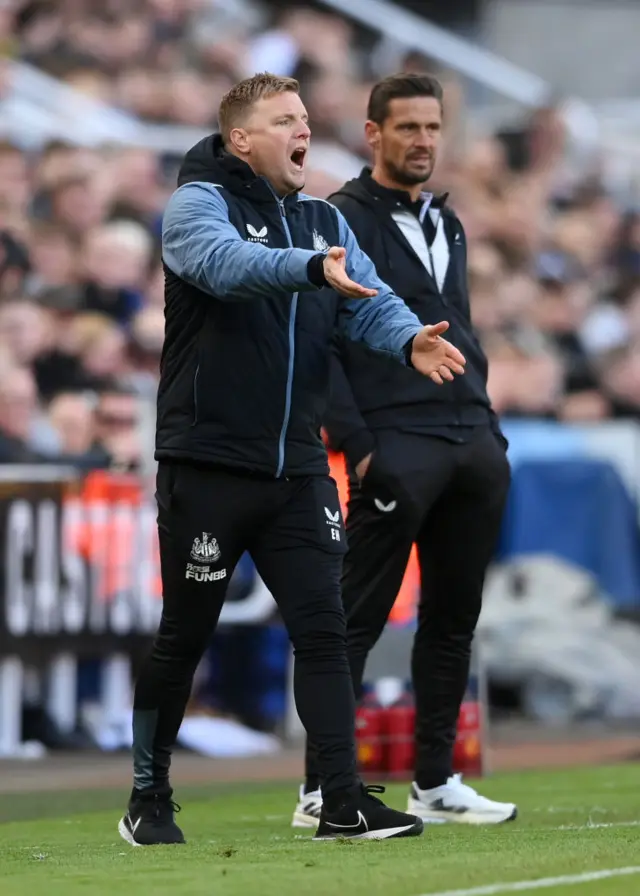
[{"x": 245, "y": 365}]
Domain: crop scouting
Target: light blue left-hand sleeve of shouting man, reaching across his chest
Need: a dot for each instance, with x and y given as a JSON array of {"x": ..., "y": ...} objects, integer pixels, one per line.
[{"x": 201, "y": 246}]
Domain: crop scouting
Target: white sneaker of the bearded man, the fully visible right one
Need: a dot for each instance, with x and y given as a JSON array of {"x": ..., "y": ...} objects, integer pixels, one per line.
[{"x": 457, "y": 802}]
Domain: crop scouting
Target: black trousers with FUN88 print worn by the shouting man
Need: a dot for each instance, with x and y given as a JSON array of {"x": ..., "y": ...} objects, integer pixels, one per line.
[{"x": 293, "y": 530}]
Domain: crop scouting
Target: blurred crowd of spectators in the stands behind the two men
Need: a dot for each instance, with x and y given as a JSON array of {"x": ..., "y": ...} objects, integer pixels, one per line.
[{"x": 554, "y": 261}]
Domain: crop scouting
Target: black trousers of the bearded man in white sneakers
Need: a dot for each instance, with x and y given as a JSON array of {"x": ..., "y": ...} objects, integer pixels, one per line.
[{"x": 448, "y": 499}]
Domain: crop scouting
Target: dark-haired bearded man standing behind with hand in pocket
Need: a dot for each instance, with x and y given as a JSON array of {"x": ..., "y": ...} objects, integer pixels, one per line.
[{"x": 427, "y": 463}]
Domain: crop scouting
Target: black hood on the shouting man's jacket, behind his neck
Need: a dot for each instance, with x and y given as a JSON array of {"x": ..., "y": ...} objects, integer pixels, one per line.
[{"x": 209, "y": 162}]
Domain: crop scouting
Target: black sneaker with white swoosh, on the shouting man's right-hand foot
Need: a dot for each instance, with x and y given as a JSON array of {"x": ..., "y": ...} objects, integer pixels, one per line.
[{"x": 364, "y": 817}]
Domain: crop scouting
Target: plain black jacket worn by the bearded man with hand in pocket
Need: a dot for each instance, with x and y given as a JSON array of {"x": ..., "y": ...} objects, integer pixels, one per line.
[{"x": 367, "y": 392}]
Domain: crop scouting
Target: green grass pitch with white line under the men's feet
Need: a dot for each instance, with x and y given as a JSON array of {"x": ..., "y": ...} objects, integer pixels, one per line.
[{"x": 240, "y": 843}]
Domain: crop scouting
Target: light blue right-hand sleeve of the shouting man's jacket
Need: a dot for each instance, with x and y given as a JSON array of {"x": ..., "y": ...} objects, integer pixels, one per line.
[{"x": 384, "y": 322}]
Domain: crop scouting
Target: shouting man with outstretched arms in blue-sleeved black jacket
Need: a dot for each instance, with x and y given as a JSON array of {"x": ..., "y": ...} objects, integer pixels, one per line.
[{"x": 259, "y": 277}]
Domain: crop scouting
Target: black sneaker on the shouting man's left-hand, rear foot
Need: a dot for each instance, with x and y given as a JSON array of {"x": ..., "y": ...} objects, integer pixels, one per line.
[{"x": 149, "y": 821}]
